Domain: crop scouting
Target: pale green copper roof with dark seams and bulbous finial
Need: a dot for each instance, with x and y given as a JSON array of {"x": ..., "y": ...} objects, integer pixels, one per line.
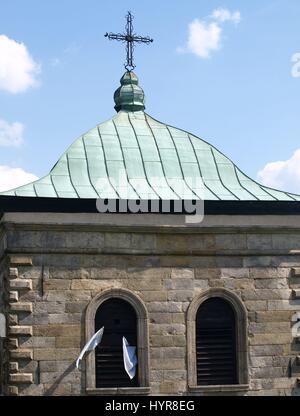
[{"x": 153, "y": 160}]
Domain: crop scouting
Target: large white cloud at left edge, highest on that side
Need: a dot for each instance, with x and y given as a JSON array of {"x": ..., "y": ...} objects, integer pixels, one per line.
[{"x": 18, "y": 70}]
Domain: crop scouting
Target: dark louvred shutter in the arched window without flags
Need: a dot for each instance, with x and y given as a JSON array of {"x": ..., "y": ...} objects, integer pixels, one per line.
[{"x": 215, "y": 343}]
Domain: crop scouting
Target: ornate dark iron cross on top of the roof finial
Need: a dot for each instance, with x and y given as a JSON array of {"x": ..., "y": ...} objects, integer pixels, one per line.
[{"x": 129, "y": 37}]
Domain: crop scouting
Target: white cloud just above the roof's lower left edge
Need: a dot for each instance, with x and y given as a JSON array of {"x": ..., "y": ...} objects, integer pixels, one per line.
[{"x": 13, "y": 177}]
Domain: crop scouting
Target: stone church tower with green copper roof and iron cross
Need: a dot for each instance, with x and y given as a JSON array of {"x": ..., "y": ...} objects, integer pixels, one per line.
[{"x": 154, "y": 236}]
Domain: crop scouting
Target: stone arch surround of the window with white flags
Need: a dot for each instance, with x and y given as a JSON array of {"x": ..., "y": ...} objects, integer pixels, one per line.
[{"x": 123, "y": 296}]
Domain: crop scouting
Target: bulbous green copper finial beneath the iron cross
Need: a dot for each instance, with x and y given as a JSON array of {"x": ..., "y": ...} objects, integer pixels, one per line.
[{"x": 129, "y": 97}]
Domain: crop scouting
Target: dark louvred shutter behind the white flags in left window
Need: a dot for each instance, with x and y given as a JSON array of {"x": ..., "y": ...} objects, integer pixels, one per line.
[{"x": 119, "y": 319}]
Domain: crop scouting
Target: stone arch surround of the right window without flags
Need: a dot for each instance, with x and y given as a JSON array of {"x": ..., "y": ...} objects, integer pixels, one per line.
[{"x": 240, "y": 339}]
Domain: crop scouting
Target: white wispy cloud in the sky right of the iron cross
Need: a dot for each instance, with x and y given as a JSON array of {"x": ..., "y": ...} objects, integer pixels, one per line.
[{"x": 205, "y": 35}]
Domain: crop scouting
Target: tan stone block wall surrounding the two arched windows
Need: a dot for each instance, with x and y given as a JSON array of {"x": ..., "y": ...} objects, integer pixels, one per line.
[{"x": 54, "y": 273}]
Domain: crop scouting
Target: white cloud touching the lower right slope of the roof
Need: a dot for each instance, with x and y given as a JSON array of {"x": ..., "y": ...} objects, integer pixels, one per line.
[{"x": 284, "y": 175}]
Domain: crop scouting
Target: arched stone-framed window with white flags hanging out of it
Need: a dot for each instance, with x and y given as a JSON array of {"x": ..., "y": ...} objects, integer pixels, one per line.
[{"x": 123, "y": 314}]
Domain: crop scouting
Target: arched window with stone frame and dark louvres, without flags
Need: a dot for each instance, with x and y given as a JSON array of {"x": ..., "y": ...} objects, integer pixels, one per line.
[{"x": 217, "y": 342}]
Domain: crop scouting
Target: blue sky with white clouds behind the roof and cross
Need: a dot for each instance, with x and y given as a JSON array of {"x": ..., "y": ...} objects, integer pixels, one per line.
[{"x": 242, "y": 96}]
